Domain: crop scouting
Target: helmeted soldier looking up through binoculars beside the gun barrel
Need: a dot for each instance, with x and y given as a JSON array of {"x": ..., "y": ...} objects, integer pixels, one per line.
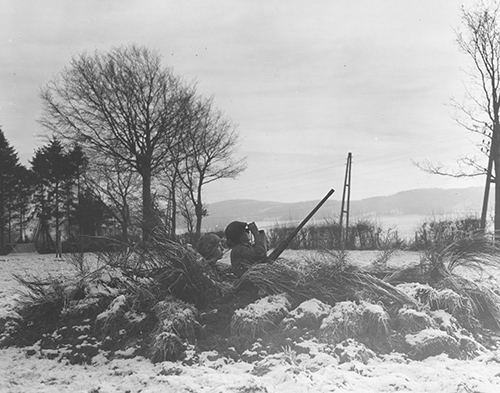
[{"x": 243, "y": 253}]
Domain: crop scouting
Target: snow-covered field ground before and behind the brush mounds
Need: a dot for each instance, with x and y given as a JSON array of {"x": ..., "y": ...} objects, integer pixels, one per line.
[{"x": 290, "y": 372}]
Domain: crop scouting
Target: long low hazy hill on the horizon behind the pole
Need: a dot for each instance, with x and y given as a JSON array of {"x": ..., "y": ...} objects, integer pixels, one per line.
[{"x": 417, "y": 203}]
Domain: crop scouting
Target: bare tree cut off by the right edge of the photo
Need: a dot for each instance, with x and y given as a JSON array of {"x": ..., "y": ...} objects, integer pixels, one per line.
[{"x": 479, "y": 39}]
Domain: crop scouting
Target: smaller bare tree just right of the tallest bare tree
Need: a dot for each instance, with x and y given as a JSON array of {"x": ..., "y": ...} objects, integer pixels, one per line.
[{"x": 210, "y": 146}]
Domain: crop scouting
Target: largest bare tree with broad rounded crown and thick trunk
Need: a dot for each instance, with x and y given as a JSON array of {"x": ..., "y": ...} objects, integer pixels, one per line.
[{"x": 122, "y": 104}]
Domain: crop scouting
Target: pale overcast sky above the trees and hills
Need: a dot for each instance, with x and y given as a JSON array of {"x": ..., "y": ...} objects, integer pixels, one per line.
[{"x": 304, "y": 82}]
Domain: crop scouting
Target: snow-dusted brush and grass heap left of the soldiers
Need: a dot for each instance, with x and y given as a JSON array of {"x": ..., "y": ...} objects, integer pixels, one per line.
[{"x": 141, "y": 297}]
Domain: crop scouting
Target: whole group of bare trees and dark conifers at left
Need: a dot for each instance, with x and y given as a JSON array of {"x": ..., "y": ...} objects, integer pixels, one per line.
[{"x": 132, "y": 146}]
